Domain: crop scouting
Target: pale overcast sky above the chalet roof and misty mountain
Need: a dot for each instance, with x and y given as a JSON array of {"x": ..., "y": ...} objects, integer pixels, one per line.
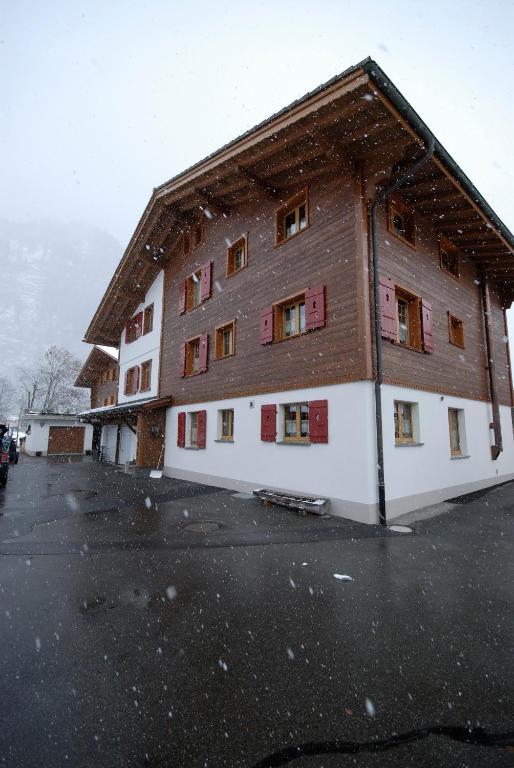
[{"x": 102, "y": 101}]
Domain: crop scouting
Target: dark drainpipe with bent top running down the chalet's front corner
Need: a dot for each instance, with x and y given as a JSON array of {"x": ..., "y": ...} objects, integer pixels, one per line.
[{"x": 380, "y": 196}]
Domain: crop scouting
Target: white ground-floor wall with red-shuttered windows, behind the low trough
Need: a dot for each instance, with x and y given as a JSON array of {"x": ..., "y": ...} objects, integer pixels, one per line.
[{"x": 342, "y": 469}]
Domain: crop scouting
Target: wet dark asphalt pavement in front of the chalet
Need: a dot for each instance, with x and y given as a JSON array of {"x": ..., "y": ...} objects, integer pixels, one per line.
[{"x": 128, "y": 639}]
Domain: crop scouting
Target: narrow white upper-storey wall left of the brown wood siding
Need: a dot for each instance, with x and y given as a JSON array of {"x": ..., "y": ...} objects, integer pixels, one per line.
[{"x": 146, "y": 347}]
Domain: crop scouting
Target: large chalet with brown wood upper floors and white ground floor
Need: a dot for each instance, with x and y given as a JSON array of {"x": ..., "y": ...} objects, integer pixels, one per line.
[{"x": 328, "y": 297}]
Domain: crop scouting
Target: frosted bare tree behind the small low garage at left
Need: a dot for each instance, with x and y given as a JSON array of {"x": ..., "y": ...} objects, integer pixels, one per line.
[{"x": 48, "y": 387}]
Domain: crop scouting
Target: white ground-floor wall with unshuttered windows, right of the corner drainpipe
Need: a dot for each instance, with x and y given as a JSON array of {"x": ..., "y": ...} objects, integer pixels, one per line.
[{"x": 419, "y": 475}]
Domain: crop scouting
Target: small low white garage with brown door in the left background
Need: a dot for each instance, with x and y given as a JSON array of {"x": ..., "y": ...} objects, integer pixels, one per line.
[{"x": 57, "y": 434}]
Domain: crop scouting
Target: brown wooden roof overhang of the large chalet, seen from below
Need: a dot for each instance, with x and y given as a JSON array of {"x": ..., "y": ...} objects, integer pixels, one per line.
[{"x": 355, "y": 116}]
